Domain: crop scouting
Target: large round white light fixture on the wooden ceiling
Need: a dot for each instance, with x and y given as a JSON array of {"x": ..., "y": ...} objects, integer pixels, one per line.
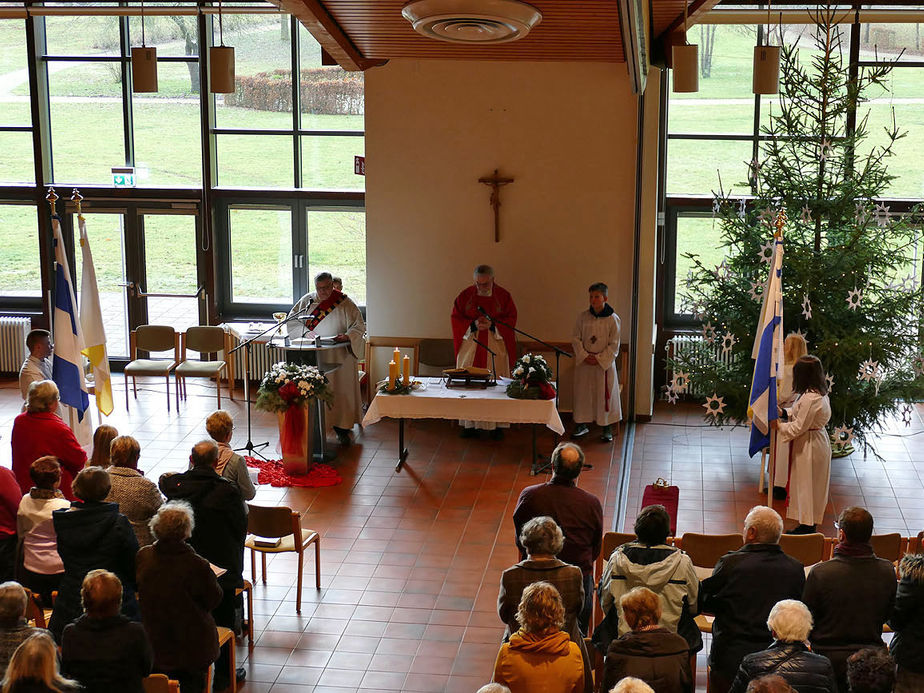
[{"x": 472, "y": 21}]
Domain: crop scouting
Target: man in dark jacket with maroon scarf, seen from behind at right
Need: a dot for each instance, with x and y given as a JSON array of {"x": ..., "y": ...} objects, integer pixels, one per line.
[{"x": 851, "y": 596}]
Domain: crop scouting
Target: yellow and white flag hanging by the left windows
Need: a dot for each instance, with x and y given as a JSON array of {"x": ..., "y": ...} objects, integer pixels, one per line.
[{"x": 91, "y": 323}]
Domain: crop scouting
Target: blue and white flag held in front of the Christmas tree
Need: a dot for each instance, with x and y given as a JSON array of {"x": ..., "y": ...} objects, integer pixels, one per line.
[{"x": 768, "y": 355}]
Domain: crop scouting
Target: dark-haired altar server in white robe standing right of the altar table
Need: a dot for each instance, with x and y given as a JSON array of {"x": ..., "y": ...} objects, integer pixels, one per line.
[{"x": 595, "y": 340}]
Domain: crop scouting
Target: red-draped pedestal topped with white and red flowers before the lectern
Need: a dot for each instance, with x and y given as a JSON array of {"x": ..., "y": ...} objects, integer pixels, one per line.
[{"x": 290, "y": 390}]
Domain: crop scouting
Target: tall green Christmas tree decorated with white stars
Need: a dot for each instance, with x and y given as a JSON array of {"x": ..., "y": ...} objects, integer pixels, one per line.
[{"x": 849, "y": 276}]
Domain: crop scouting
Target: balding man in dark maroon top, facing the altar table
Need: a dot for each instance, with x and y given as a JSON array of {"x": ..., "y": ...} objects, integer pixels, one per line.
[{"x": 577, "y": 512}]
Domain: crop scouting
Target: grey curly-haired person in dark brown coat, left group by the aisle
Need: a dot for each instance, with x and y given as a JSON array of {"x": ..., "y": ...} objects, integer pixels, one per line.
[{"x": 178, "y": 591}]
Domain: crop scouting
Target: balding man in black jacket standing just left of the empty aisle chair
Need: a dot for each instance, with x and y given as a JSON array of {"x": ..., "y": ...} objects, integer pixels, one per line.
[{"x": 219, "y": 532}]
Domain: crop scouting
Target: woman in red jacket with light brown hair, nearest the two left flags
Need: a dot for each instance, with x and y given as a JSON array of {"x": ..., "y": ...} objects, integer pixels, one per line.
[{"x": 39, "y": 431}]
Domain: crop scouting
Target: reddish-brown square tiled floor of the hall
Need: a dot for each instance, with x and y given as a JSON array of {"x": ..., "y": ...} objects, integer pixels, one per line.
[{"x": 411, "y": 561}]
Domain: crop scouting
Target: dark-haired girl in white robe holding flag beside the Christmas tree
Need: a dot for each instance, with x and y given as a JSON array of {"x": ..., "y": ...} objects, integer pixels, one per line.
[{"x": 803, "y": 425}]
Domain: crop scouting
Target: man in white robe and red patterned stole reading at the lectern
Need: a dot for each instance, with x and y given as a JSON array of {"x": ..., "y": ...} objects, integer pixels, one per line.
[{"x": 326, "y": 312}]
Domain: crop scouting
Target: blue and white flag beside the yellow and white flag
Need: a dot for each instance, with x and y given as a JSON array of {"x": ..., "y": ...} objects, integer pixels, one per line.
[{"x": 67, "y": 367}]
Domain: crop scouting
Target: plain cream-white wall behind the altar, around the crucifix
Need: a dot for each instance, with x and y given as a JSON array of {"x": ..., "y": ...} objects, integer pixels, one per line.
[{"x": 565, "y": 131}]
